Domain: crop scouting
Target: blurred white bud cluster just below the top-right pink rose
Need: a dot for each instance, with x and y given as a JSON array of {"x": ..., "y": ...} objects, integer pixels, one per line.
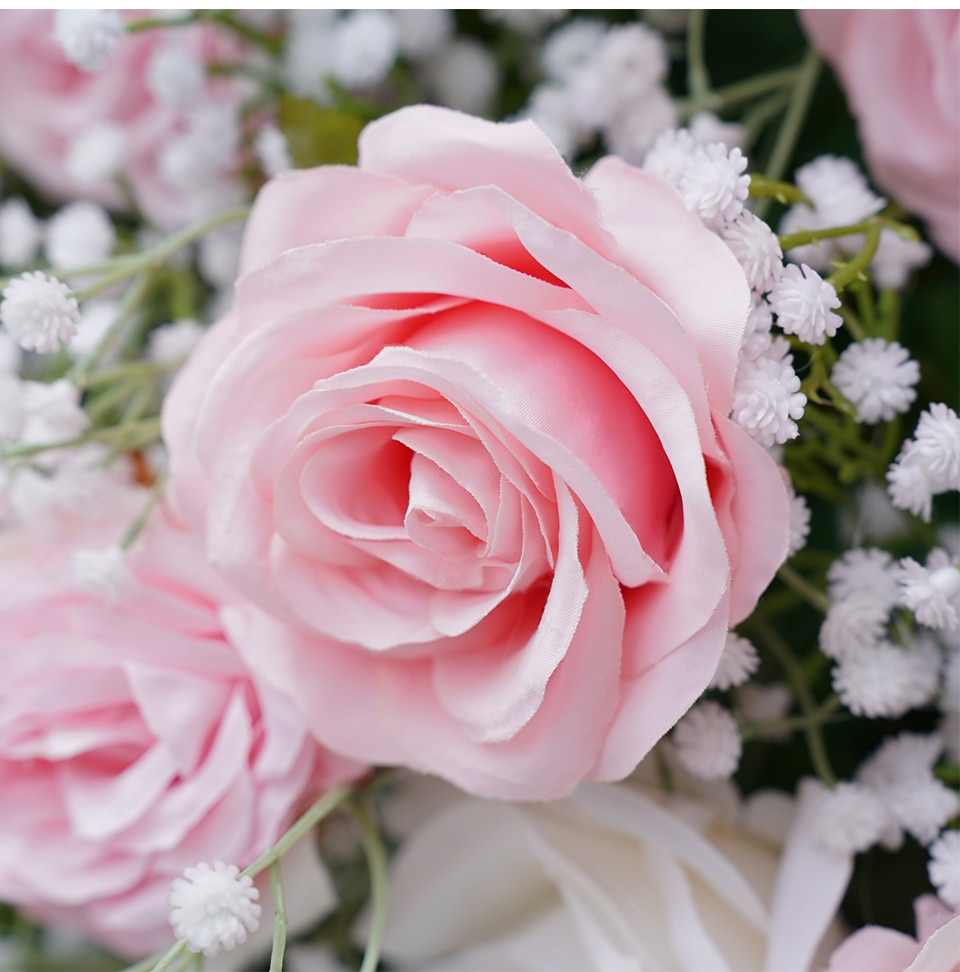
[{"x": 838, "y": 195}]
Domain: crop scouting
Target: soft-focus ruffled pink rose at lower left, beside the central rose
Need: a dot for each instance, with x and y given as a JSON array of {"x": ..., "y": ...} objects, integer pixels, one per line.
[{"x": 133, "y": 742}]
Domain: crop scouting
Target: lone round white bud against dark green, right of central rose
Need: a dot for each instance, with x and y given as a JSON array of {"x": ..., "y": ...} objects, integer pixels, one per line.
[{"x": 877, "y": 376}]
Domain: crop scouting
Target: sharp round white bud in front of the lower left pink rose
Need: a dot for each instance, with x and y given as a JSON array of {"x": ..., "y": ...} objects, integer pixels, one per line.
[{"x": 212, "y": 908}]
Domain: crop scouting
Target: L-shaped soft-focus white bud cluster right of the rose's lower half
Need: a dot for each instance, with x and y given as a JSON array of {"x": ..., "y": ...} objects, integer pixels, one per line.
[{"x": 874, "y": 676}]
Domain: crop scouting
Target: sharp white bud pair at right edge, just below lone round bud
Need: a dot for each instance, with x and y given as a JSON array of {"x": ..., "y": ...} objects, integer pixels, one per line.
[{"x": 928, "y": 464}]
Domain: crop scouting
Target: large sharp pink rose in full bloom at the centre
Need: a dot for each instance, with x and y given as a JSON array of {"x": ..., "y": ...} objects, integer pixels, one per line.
[{"x": 464, "y": 440}]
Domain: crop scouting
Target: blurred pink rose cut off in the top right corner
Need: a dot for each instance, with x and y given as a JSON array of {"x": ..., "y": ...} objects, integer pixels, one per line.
[{"x": 900, "y": 70}]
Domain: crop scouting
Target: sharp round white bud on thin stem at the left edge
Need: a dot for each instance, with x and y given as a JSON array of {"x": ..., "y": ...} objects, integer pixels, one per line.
[{"x": 40, "y": 313}]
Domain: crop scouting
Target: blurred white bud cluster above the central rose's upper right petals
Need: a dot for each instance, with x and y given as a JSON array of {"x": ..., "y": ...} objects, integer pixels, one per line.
[{"x": 603, "y": 80}]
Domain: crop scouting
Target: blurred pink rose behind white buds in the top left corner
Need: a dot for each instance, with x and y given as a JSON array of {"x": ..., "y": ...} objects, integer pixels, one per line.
[{"x": 48, "y": 104}]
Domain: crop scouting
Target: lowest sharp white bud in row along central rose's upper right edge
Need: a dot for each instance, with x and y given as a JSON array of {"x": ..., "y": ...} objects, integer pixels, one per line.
[{"x": 767, "y": 401}]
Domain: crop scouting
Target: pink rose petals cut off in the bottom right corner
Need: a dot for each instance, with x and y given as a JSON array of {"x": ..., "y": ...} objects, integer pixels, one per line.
[{"x": 874, "y": 949}]
